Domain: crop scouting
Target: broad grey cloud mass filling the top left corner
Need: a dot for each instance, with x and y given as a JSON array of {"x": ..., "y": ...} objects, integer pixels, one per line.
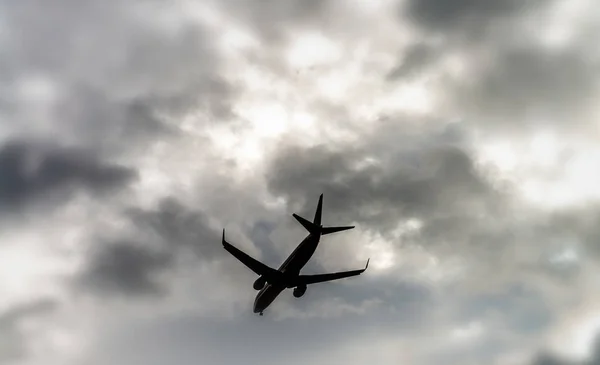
[{"x": 114, "y": 77}]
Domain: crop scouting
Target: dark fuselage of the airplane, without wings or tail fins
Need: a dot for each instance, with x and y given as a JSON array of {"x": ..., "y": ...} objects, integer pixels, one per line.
[{"x": 290, "y": 269}]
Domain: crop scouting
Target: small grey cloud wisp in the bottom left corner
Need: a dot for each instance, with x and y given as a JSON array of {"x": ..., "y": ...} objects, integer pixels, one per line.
[{"x": 12, "y": 339}]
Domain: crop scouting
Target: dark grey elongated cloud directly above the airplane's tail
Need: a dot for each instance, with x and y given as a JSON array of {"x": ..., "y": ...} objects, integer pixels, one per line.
[{"x": 406, "y": 184}]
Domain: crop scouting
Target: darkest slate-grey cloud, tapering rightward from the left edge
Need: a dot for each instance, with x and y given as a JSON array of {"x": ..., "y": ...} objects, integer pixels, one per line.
[{"x": 31, "y": 171}]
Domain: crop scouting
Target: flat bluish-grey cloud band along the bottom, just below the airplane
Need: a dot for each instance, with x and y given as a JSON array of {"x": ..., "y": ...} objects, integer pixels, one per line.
[{"x": 315, "y": 333}]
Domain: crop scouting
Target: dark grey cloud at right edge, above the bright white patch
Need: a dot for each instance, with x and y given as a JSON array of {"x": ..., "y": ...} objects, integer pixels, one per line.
[{"x": 531, "y": 81}]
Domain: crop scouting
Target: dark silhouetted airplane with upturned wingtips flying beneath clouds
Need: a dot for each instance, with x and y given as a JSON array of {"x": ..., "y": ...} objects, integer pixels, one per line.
[{"x": 271, "y": 282}]
